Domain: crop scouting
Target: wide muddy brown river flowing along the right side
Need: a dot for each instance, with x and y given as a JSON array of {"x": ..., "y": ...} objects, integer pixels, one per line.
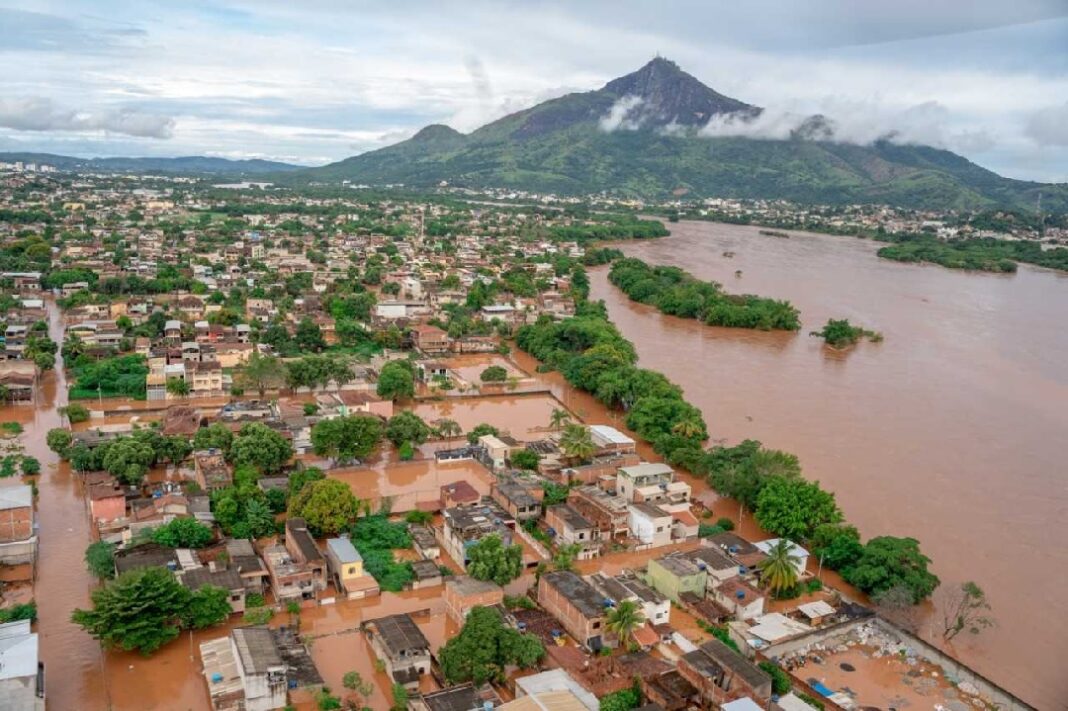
[{"x": 951, "y": 431}]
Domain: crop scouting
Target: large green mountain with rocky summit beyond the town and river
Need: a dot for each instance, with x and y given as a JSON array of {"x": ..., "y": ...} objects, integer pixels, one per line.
[{"x": 646, "y": 135}]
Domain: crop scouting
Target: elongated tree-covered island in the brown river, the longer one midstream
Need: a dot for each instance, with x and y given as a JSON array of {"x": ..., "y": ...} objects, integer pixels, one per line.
[{"x": 678, "y": 293}]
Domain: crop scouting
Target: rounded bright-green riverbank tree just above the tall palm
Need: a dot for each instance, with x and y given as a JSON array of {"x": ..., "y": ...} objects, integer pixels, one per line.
[{"x": 794, "y": 509}]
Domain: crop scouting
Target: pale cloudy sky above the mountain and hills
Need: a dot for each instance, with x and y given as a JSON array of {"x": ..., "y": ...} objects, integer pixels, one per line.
[{"x": 317, "y": 81}]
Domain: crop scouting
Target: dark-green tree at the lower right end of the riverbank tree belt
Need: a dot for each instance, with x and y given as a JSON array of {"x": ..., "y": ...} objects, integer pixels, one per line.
[{"x": 888, "y": 562}]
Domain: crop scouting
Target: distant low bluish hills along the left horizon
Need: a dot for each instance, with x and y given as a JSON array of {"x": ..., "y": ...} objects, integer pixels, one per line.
[{"x": 191, "y": 165}]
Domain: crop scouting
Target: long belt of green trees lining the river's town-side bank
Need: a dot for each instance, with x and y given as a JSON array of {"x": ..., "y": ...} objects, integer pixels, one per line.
[{"x": 594, "y": 357}]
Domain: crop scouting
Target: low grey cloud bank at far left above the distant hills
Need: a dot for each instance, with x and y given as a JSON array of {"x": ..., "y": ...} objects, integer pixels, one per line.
[{"x": 42, "y": 115}]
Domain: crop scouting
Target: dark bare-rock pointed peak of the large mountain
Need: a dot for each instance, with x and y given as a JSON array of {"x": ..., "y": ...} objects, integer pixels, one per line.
[{"x": 669, "y": 96}]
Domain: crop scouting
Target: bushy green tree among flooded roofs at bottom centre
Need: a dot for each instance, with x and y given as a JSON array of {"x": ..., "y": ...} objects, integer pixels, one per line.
[{"x": 485, "y": 647}]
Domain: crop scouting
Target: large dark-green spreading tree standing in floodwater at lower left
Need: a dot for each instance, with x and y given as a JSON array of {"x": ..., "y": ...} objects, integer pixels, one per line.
[{"x": 142, "y": 610}]
